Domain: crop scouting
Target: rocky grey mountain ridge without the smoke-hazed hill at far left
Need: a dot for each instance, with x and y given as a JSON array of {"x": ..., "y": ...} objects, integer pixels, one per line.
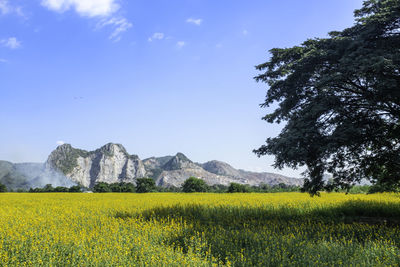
[{"x": 111, "y": 163}]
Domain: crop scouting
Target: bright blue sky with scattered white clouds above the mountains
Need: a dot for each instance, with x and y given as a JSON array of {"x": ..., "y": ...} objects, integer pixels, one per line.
[{"x": 157, "y": 76}]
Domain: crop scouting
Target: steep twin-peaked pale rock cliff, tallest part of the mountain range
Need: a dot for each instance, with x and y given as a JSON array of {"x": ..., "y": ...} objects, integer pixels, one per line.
[{"x": 110, "y": 163}]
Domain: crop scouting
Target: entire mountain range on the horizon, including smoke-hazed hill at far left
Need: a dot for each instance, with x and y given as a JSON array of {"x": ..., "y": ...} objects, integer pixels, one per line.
[{"x": 112, "y": 163}]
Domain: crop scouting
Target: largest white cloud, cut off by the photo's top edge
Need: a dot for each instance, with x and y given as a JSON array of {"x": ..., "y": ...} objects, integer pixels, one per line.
[{"x": 88, "y": 8}]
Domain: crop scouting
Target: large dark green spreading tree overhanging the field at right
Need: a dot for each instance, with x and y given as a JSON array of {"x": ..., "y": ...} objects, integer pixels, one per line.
[{"x": 340, "y": 99}]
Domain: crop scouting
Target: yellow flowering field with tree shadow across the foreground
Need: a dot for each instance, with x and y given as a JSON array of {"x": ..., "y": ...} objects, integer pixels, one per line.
[{"x": 167, "y": 229}]
